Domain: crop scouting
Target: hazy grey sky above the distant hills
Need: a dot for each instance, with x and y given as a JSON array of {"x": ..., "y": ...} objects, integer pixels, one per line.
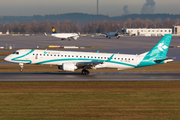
[{"x": 106, "y": 7}]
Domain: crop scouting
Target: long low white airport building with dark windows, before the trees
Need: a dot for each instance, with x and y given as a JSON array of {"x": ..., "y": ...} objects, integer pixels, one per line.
[{"x": 151, "y": 31}]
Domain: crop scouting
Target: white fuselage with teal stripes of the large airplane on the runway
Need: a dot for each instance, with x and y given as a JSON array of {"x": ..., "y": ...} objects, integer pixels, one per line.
[{"x": 49, "y": 57}]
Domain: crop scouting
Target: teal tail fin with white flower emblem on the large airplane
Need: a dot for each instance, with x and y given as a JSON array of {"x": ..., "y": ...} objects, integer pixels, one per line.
[{"x": 160, "y": 50}]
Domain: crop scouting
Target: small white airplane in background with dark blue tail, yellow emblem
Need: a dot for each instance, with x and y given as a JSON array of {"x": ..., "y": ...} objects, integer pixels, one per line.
[{"x": 63, "y": 36}]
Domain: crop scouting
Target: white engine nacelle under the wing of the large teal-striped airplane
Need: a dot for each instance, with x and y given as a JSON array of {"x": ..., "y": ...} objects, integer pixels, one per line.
[{"x": 68, "y": 67}]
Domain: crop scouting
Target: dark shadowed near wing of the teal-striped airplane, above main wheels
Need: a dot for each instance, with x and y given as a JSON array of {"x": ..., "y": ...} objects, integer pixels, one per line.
[{"x": 88, "y": 65}]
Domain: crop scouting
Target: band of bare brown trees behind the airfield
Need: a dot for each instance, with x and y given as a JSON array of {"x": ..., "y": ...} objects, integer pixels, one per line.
[{"x": 88, "y": 27}]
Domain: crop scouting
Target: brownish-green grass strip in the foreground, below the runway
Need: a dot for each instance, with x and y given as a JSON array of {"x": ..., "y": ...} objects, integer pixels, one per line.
[{"x": 90, "y": 100}]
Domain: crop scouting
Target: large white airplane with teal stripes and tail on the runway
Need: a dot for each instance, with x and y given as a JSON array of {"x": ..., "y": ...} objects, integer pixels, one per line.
[{"x": 71, "y": 61}]
